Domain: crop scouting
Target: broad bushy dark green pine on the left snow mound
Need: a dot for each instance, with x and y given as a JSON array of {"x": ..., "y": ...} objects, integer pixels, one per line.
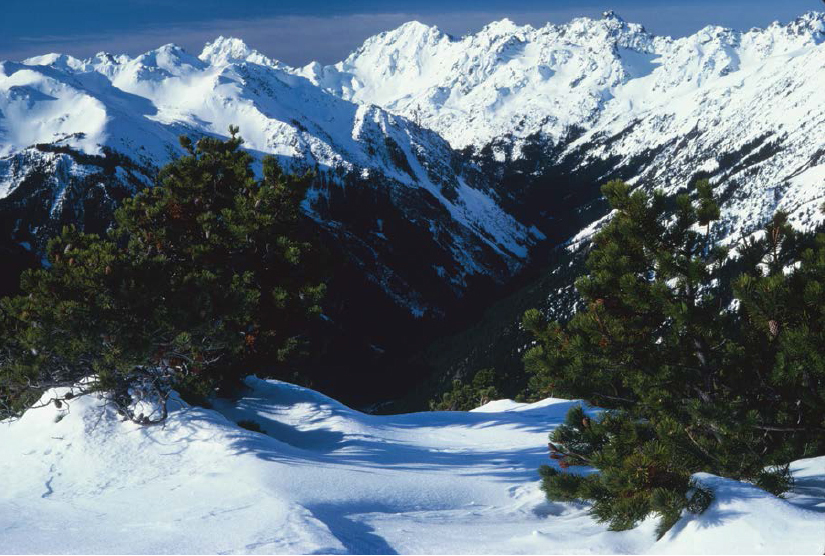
[{"x": 203, "y": 278}]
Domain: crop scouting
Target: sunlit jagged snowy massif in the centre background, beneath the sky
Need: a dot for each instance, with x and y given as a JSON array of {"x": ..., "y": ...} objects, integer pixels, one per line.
[{"x": 505, "y": 79}]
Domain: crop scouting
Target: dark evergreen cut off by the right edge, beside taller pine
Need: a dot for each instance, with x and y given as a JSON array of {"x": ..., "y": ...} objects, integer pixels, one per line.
[{"x": 782, "y": 304}]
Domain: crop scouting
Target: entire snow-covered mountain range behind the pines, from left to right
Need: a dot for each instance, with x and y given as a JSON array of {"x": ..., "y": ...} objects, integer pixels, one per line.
[{"x": 460, "y": 153}]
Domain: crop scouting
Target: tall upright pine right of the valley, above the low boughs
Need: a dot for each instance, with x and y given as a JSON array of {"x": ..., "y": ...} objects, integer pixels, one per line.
[{"x": 650, "y": 330}]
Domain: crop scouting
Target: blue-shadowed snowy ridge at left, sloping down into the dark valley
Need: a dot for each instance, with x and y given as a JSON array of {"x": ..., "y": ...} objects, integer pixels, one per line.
[{"x": 136, "y": 108}]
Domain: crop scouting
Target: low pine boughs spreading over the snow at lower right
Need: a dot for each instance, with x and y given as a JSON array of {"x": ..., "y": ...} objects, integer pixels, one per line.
[{"x": 641, "y": 470}]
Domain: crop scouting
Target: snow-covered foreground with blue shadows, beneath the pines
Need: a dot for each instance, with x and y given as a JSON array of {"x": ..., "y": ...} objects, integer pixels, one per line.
[{"x": 328, "y": 479}]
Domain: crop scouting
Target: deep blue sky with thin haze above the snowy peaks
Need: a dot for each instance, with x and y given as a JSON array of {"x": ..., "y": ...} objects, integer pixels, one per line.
[{"x": 297, "y": 32}]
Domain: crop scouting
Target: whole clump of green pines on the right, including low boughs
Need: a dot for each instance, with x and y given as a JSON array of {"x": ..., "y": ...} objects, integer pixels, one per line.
[{"x": 695, "y": 382}]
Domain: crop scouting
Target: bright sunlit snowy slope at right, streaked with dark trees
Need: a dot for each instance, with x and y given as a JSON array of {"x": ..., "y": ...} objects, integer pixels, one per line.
[{"x": 745, "y": 114}]
